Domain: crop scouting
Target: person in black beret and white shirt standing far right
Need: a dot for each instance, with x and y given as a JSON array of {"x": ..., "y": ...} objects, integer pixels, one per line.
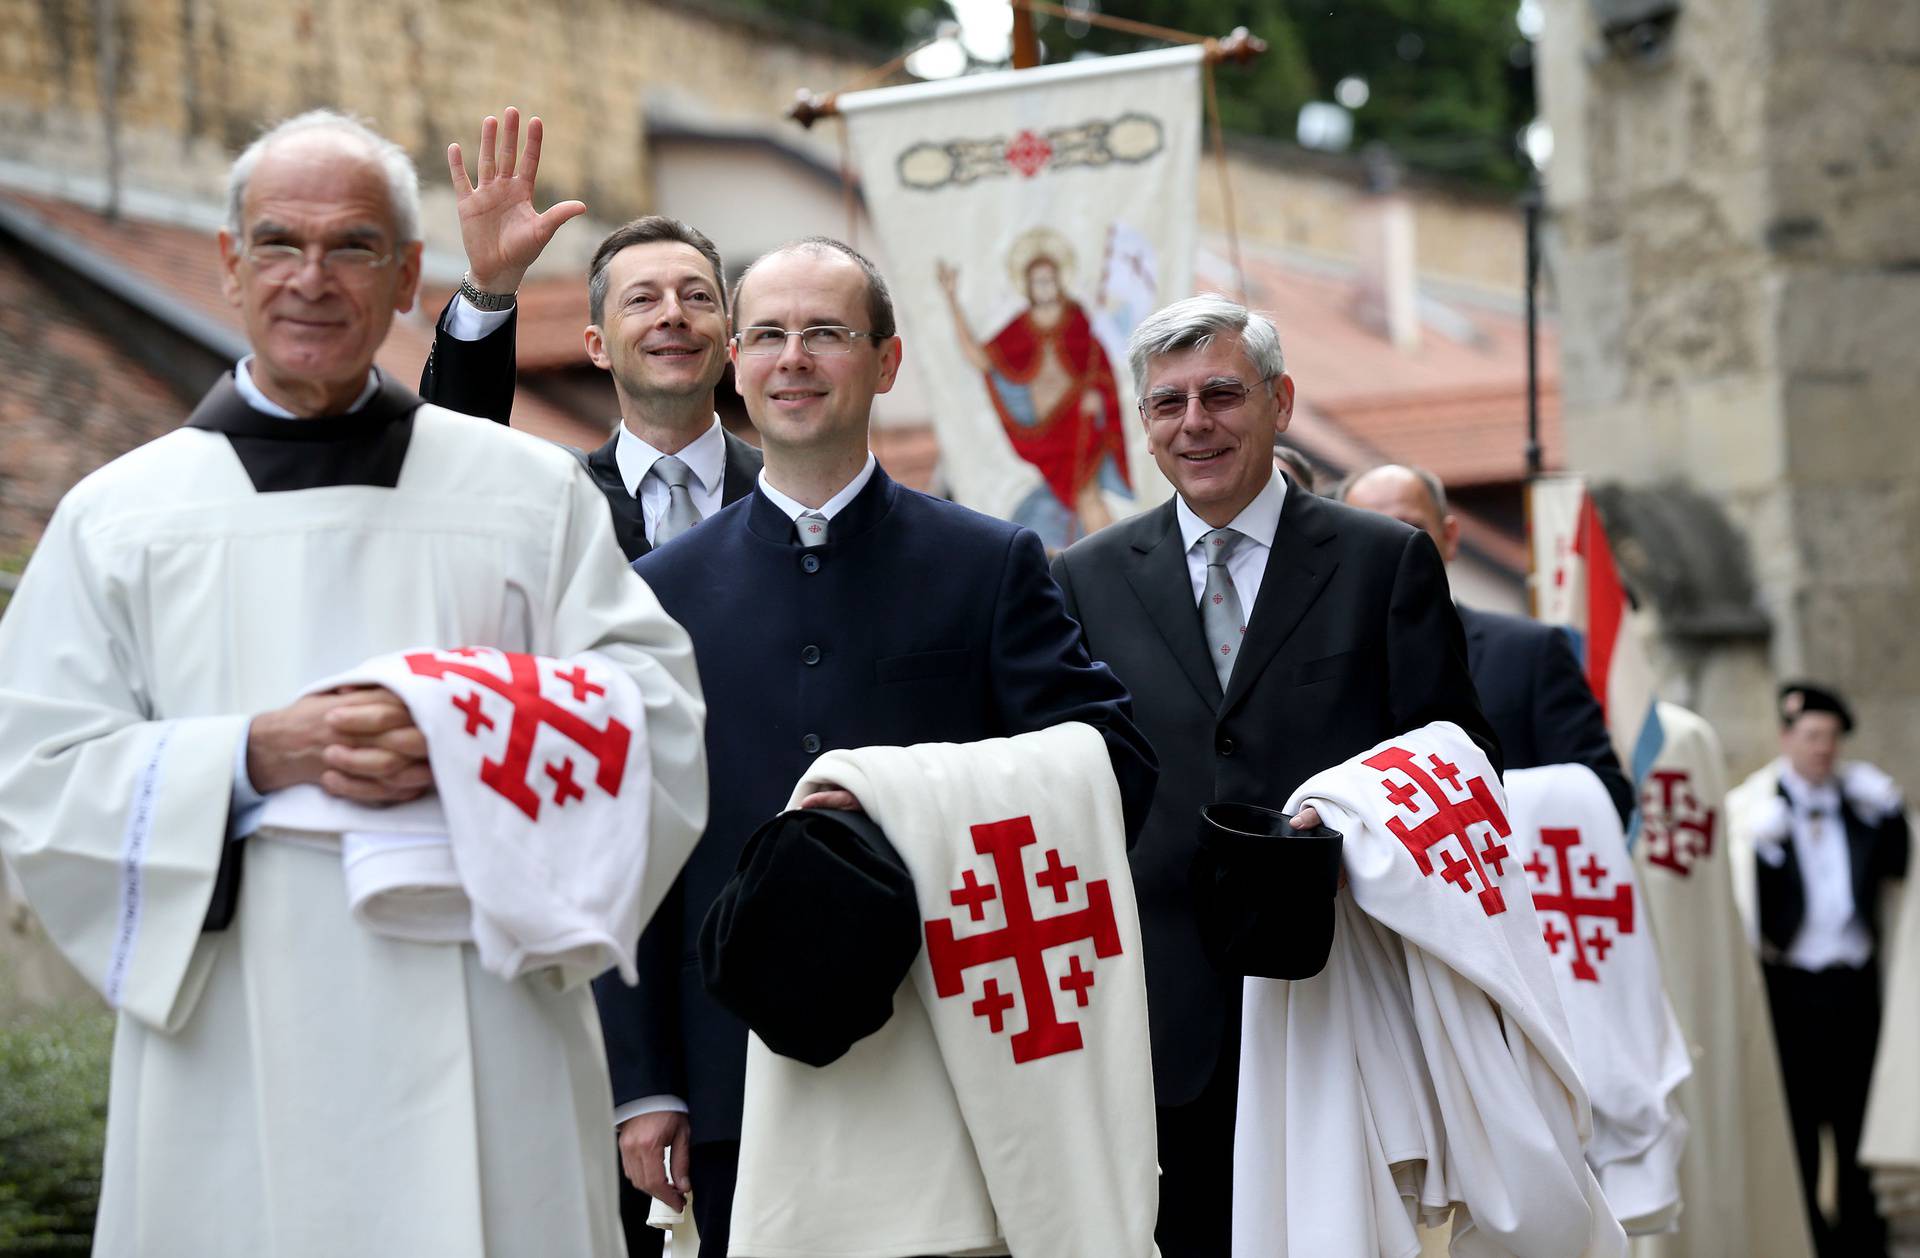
[{"x": 1823, "y": 838}]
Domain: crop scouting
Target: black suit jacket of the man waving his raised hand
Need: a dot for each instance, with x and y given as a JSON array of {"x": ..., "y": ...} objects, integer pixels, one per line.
[{"x": 477, "y": 377}]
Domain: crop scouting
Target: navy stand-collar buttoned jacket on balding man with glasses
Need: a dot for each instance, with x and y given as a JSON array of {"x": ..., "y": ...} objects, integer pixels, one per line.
[{"x": 919, "y": 621}]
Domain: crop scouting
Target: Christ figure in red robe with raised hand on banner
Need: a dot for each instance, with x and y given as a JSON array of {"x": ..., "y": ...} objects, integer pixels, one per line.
[{"x": 1053, "y": 385}]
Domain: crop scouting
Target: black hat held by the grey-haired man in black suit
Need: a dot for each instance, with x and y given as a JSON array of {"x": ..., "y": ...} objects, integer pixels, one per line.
[{"x": 1264, "y": 892}]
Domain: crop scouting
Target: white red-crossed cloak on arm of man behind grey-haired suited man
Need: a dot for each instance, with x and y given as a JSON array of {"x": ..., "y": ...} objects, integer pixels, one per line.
[{"x": 1625, "y": 1036}]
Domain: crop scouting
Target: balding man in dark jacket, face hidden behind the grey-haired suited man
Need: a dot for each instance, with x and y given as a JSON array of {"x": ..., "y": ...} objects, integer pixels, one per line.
[{"x": 1531, "y": 685}]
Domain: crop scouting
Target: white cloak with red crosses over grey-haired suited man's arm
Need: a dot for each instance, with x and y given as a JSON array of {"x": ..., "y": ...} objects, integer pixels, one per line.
[{"x": 1435, "y": 1023}]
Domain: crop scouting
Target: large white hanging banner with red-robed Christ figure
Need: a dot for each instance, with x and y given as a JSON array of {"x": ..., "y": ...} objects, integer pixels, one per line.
[{"x": 1030, "y": 222}]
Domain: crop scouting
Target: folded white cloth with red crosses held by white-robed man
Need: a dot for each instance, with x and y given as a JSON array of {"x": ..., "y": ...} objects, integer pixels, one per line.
[{"x": 535, "y": 844}]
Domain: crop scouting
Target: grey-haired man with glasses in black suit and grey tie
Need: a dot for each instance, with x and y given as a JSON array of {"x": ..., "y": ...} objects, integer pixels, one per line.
[{"x": 1264, "y": 635}]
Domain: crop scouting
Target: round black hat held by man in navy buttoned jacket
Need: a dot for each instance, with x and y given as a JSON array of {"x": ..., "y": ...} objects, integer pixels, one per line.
[{"x": 813, "y": 934}]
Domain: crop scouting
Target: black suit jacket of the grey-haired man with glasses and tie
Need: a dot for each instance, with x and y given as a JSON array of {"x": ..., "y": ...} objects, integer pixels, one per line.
[{"x": 1351, "y": 641}]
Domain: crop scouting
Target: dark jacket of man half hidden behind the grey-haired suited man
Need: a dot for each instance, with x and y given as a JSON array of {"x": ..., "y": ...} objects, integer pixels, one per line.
[{"x": 1539, "y": 702}]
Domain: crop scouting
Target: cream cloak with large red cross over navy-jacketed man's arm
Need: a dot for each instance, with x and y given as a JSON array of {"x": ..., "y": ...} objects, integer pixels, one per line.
[{"x": 1009, "y": 1101}]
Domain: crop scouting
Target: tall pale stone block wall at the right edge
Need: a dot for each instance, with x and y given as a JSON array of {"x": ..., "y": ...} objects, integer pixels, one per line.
[{"x": 1739, "y": 278}]
